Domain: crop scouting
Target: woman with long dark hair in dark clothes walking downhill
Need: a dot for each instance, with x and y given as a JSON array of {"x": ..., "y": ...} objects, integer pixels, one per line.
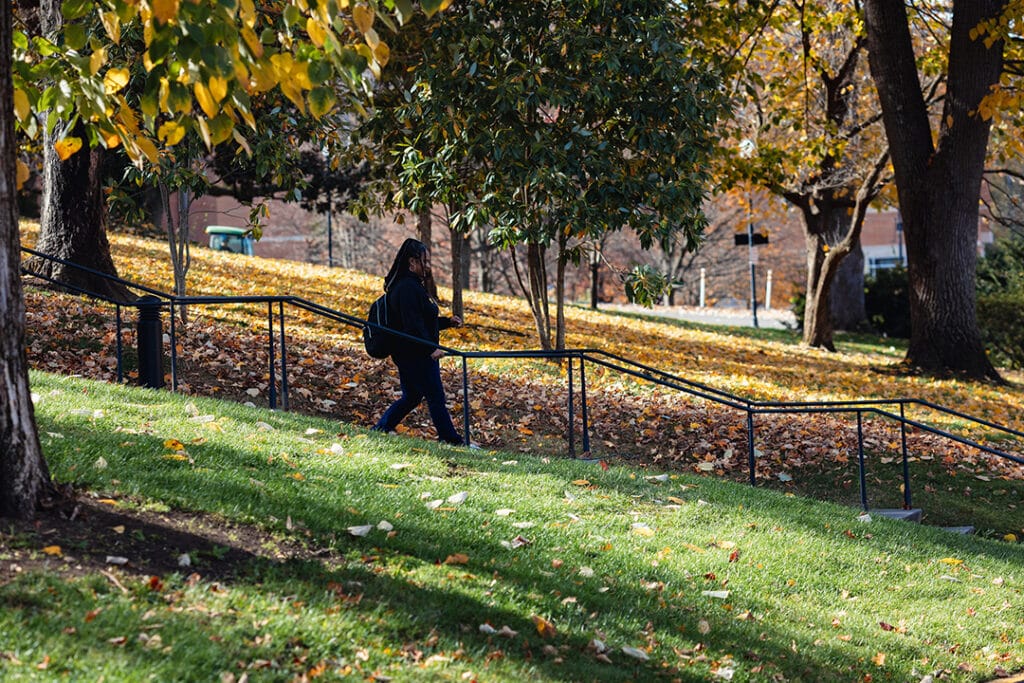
[{"x": 412, "y": 302}]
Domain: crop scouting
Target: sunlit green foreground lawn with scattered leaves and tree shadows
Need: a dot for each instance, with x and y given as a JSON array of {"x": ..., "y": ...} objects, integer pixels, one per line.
[{"x": 229, "y": 543}]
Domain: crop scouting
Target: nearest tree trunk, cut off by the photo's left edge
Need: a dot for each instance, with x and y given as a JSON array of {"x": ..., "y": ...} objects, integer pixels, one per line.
[{"x": 25, "y": 480}]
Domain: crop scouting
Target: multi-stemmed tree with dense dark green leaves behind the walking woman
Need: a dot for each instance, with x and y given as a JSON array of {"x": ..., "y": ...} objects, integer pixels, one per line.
[{"x": 556, "y": 123}]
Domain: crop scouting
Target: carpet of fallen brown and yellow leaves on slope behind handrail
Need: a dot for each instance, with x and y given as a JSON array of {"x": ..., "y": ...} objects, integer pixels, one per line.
[{"x": 523, "y": 405}]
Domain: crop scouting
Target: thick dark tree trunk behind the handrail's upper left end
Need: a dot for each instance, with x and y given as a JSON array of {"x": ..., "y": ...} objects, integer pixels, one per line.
[{"x": 72, "y": 227}]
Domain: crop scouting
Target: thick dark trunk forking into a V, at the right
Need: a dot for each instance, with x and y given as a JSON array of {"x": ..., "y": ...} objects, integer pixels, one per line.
[{"x": 938, "y": 185}]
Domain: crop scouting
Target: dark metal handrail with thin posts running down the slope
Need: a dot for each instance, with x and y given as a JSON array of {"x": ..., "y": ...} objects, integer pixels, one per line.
[{"x": 599, "y": 358}]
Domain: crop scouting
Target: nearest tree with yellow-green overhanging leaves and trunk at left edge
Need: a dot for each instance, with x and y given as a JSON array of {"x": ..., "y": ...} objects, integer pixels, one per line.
[{"x": 201, "y": 65}]
